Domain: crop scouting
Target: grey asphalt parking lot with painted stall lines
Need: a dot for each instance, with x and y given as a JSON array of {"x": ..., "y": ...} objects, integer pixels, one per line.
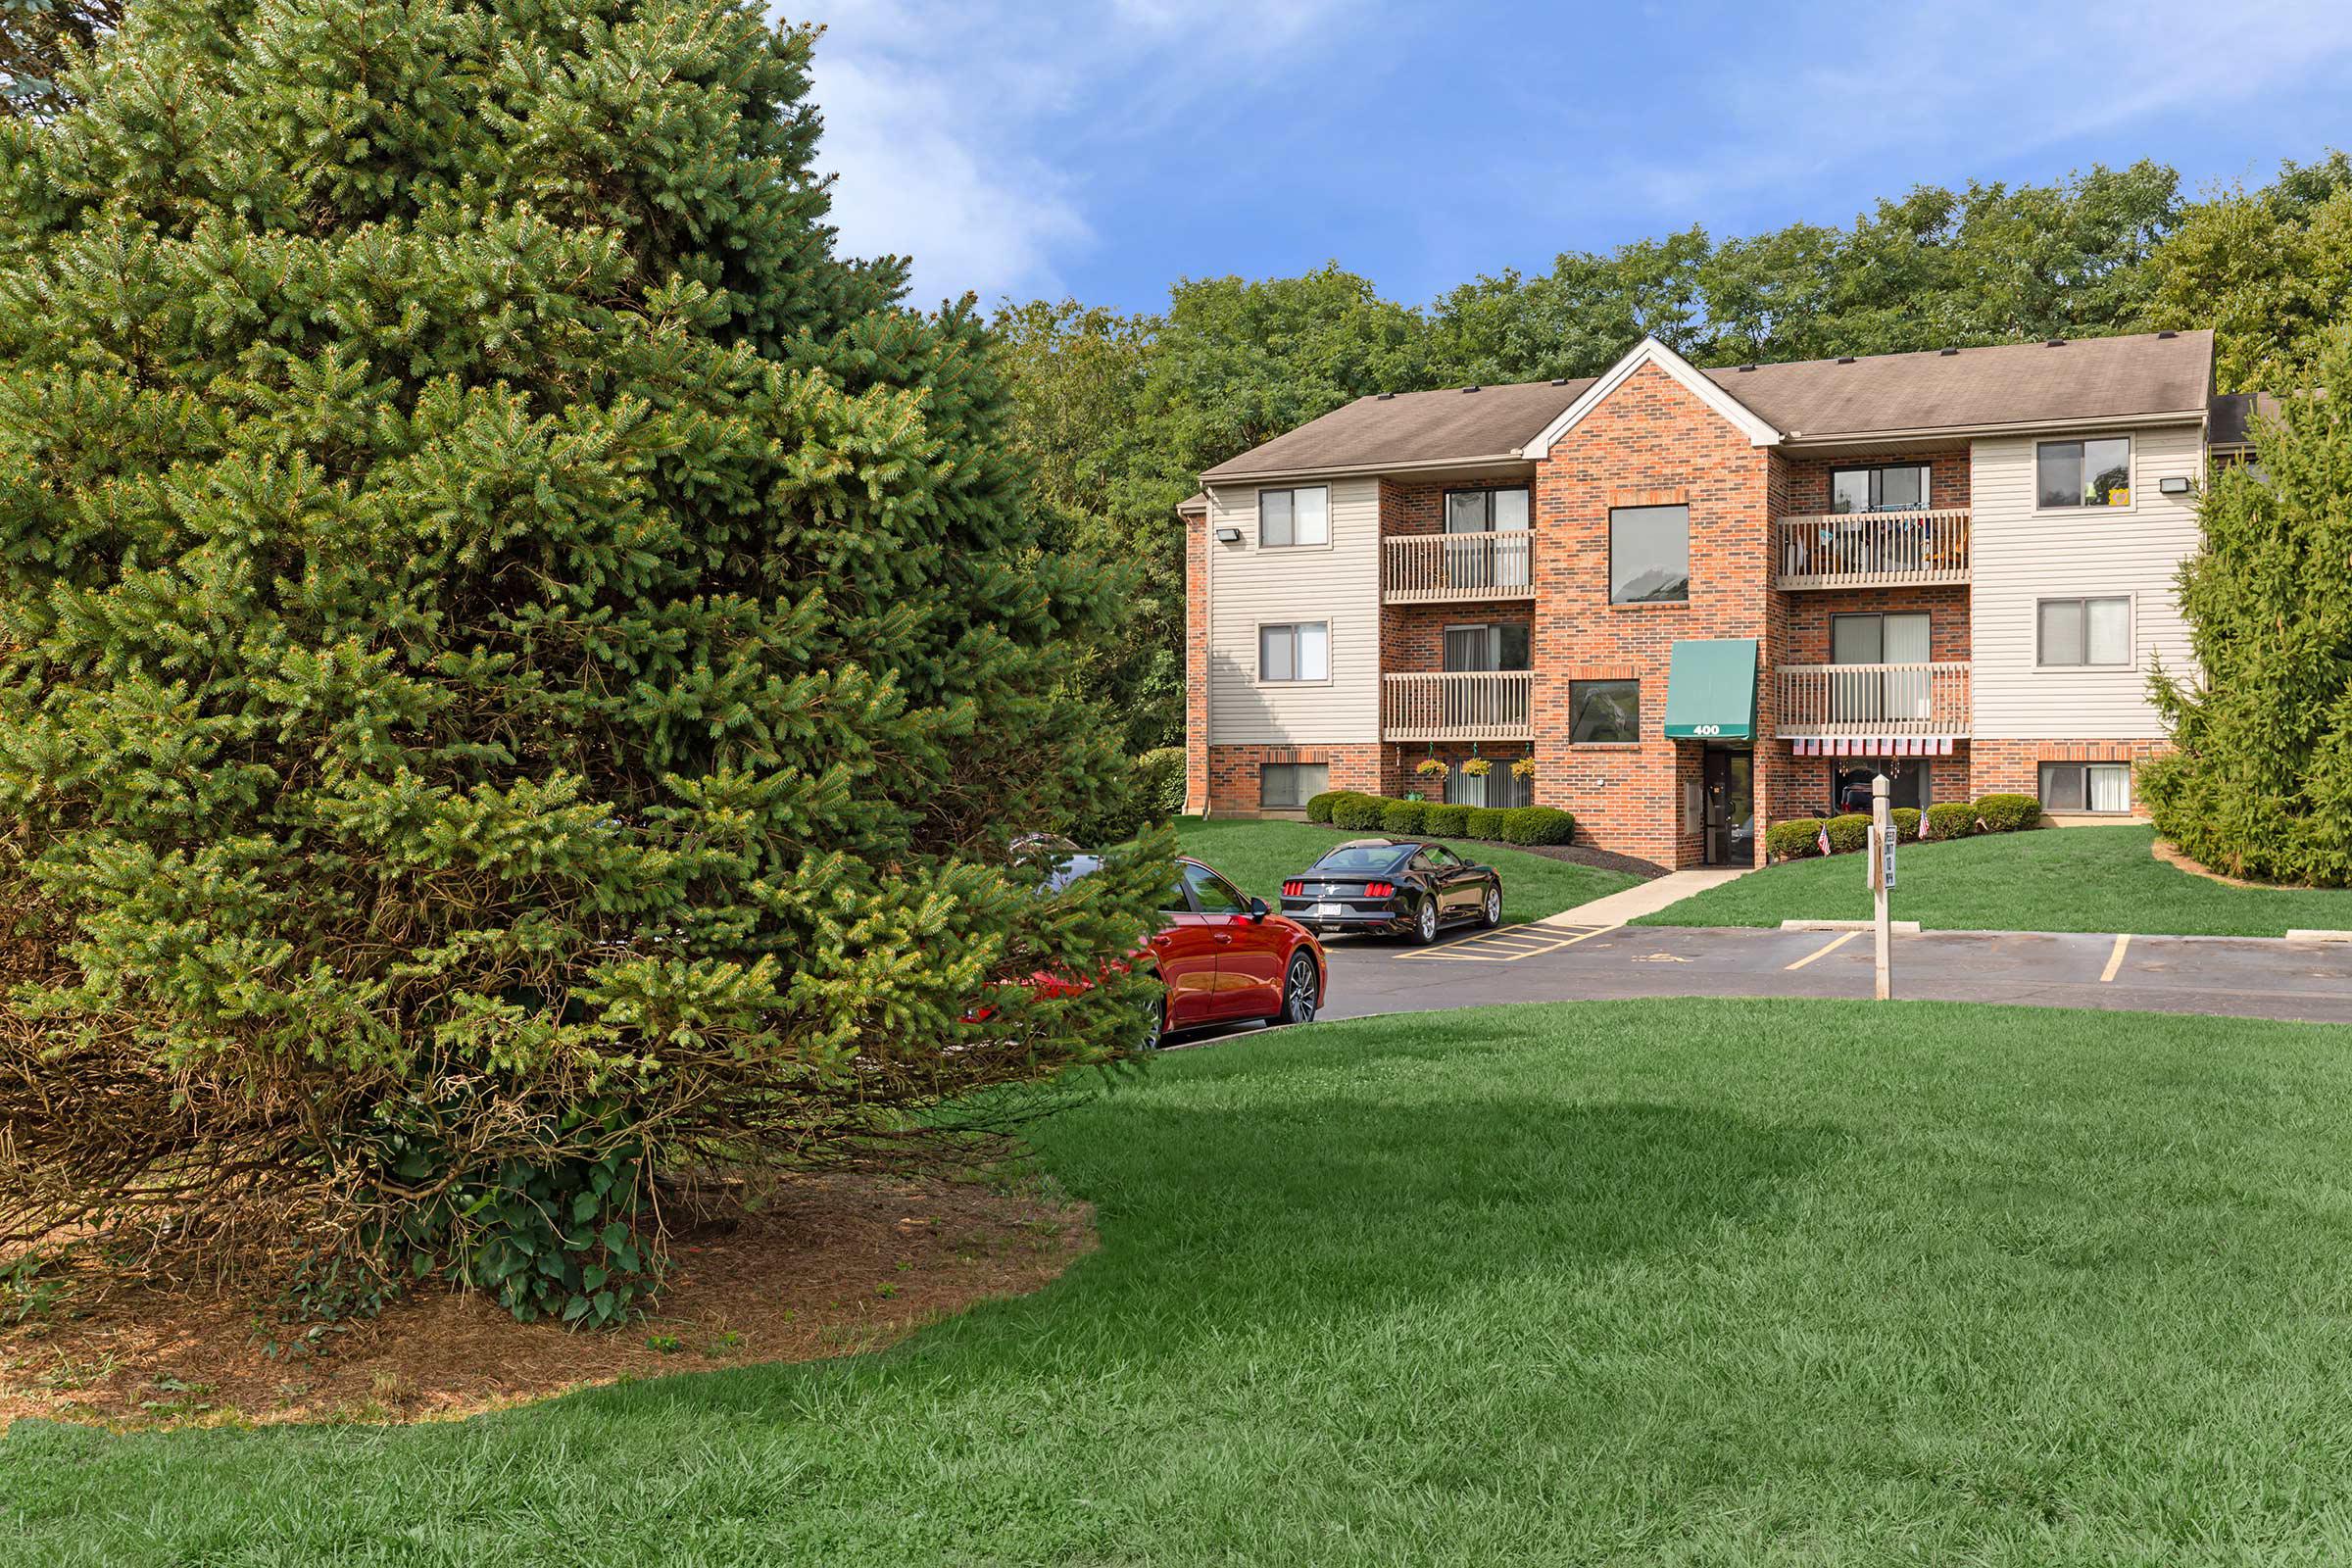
[{"x": 2160, "y": 974}]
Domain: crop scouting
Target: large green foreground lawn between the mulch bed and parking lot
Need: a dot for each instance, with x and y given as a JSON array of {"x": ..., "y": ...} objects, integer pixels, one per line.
[{"x": 1652, "y": 1282}]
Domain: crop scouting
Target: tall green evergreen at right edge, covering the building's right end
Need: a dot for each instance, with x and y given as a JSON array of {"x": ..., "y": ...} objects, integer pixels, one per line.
[{"x": 2261, "y": 775}]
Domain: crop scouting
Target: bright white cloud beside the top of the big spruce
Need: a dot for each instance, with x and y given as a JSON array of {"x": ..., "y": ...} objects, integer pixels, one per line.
[{"x": 961, "y": 133}]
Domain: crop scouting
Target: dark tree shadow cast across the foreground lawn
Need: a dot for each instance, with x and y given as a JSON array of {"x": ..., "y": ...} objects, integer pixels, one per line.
[{"x": 1330, "y": 1214}]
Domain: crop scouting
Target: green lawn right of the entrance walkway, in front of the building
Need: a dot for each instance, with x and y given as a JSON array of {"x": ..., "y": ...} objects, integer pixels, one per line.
[{"x": 2047, "y": 880}]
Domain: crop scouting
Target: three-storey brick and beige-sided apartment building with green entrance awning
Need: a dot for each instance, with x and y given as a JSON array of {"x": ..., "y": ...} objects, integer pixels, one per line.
[{"x": 1702, "y": 601}]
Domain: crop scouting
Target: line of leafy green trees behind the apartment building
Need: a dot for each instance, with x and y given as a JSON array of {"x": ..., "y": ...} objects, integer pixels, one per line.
[{"x": 1116, "y": 415}]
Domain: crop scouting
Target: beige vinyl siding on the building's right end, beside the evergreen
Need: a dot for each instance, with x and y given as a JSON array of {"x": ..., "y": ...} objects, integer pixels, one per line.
[{"x": 2024, "y": 556}]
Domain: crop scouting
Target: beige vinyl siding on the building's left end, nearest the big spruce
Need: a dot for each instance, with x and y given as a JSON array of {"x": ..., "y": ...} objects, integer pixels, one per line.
[{"x": 1337, "y": 584}]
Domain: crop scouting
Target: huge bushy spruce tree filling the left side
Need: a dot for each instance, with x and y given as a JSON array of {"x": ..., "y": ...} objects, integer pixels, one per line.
[{"x": 526, "y": 676}]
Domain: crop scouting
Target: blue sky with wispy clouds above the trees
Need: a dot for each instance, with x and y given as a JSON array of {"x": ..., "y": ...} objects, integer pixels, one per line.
[{"x": 1109, "y": 149}]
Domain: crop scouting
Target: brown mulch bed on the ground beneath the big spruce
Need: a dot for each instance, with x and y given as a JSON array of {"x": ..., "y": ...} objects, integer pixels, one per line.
[{"x": 831, "y": 1266}]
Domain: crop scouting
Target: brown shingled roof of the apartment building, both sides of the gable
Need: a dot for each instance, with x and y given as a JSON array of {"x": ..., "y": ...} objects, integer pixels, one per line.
[{"x": 2007, "y": 384}]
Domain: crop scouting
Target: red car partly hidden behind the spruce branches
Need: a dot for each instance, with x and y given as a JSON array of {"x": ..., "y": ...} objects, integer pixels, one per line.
[{"x": 1220, "y": 956}]
